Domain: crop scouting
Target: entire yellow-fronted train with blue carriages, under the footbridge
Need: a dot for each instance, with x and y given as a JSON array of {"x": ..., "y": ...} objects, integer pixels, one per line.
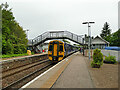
[{"x": 58, "y": 50}]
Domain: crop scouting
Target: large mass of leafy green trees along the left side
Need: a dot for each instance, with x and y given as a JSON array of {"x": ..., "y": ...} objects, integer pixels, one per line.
[{"x": 14, "y": 40}]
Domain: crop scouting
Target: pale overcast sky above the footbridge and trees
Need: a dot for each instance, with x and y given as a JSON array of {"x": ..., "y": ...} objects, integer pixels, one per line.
[{"x": 40, "y": 16}]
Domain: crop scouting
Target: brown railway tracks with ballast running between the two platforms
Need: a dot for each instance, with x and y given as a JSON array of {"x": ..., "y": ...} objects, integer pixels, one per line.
[{"x": 17, "y": 77}]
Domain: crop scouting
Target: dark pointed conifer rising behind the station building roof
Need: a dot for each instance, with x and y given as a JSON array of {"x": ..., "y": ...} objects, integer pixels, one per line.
[{"x": 105, "y": 31}]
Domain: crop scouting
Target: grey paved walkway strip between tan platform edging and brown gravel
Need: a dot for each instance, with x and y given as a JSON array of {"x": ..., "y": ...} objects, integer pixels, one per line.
[{"x": 76, "y": 75}]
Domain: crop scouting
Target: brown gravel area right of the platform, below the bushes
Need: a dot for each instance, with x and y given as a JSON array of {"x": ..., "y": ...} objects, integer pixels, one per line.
[{"x": 104, "y": 77}]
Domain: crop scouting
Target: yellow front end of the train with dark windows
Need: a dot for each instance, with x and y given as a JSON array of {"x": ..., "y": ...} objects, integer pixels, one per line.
[{"x": 55, "y": 50}]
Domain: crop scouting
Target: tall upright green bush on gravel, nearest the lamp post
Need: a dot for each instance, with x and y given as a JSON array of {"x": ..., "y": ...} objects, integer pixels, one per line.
[{"x": 97, "y": 58}]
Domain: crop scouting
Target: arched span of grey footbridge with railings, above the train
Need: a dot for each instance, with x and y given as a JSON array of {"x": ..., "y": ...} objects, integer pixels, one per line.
[{"x": 57, "y": 35}]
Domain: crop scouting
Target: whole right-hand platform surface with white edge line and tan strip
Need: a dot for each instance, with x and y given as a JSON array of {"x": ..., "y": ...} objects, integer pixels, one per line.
[{"x": 72, "y": 72}]
